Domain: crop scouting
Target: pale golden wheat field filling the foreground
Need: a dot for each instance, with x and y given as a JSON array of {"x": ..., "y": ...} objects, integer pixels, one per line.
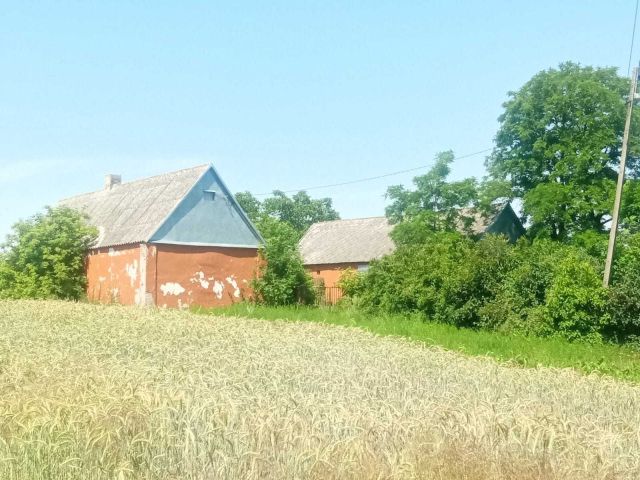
[{"x": 94, "y": 392}]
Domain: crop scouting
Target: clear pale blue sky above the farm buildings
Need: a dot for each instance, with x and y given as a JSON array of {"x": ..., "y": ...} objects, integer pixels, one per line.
[{"x": 277, "y": 95}]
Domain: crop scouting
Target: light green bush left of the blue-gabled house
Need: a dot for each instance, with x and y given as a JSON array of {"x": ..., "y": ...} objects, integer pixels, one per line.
[{"x": 44, "y": 256}]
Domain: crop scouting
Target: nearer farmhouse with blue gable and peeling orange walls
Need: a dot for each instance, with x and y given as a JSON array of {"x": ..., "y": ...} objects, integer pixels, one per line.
[{"x": 172, "y": 240}]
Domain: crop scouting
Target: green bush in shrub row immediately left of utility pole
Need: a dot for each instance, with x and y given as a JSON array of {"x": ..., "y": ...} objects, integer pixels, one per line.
[{"x": 552, "y": 289}]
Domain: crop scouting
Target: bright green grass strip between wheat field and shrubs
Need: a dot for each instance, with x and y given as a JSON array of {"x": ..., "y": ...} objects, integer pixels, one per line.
[{"x": 606, "y": 359}]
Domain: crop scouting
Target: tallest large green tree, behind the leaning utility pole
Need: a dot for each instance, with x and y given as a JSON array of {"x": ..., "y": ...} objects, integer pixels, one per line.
[{"x": 558, "y": 147}]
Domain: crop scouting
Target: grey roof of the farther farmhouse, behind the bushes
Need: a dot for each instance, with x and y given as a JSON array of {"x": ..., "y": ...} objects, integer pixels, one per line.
[{"x": 359, "y": 240}]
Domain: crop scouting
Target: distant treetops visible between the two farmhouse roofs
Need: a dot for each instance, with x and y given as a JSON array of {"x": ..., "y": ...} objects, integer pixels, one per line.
[{"x": 299, "y": 211}]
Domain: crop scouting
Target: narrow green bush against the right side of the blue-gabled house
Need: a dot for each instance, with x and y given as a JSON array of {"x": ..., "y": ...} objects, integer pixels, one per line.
[{"x": 282, "y": 278}]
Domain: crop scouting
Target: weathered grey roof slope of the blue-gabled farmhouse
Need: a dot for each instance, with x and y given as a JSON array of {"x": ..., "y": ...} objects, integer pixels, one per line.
[{"x": 132, "y": 212}]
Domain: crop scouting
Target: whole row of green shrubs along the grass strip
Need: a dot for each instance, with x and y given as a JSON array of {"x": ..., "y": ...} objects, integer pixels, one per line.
[{"x": 541, "y": 287}]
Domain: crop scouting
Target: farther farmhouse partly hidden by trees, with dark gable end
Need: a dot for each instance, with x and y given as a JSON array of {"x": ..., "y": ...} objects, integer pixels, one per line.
[{"x": 329, "y": 248}]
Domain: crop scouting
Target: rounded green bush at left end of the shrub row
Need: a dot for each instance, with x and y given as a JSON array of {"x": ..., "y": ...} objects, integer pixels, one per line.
[{"x": 446, "y": 278}]
